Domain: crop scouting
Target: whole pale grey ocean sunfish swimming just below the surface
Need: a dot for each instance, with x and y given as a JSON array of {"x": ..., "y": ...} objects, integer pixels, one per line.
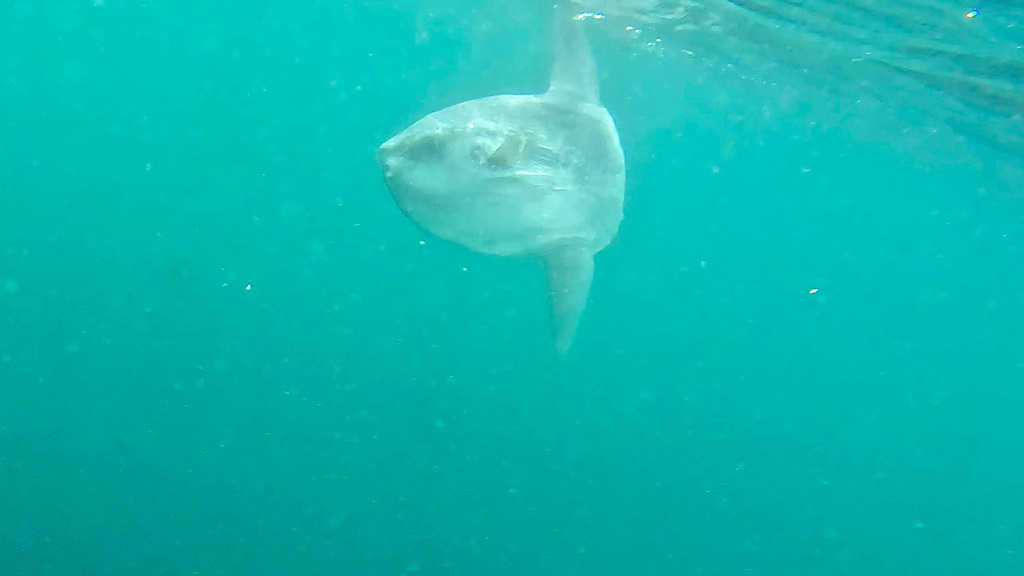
[{"x": 522, "y": 176}]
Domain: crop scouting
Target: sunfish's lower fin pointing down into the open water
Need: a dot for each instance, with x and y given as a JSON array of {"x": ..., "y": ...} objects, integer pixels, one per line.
[{"x": 571, "y": 272}]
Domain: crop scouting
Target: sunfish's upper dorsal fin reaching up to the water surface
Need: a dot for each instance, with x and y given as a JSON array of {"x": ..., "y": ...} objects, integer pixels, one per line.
[{"x": 574, "y": 74}]
